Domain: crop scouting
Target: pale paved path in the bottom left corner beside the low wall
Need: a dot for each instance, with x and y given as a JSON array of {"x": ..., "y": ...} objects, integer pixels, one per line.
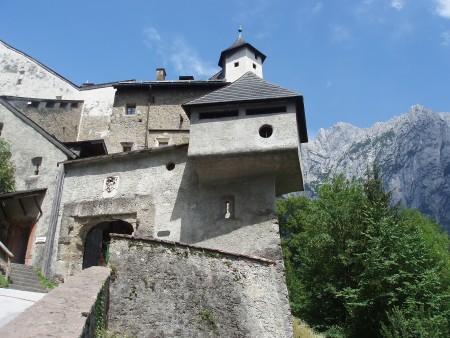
[{"x": 13, "y": 302}]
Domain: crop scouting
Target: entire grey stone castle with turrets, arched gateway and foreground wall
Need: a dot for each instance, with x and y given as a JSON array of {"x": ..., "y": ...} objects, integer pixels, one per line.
[{"x": 185, "y": 171}]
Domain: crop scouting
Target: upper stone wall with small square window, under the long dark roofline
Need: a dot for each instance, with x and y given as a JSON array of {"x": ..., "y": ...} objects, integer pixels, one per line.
[{"x": 167, "y": 121}]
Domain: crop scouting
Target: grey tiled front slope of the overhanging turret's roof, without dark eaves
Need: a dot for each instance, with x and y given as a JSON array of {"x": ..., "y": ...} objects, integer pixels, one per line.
[{"x": 249, "y": 87}]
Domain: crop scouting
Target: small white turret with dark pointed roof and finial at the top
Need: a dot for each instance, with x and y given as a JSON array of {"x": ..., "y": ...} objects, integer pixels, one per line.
[{"x": 240, "y": 58}]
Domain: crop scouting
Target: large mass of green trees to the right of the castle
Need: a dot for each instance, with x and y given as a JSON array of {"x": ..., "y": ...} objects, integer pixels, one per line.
[{"x": 357, "y": 267}]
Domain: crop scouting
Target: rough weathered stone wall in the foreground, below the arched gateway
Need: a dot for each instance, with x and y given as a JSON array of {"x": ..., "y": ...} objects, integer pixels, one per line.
[{"x": 164, "y": 289}]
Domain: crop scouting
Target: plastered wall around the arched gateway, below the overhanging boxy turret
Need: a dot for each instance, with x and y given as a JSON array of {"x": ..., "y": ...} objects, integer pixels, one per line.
[{"x": 167, "y": 204}]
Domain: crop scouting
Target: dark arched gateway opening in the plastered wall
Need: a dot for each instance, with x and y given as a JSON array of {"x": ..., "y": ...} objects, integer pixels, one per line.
[{"x": 97, "y": 241}]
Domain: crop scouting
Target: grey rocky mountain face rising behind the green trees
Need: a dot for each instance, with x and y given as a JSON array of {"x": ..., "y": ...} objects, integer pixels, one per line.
[{"x": 412, "y": 151}]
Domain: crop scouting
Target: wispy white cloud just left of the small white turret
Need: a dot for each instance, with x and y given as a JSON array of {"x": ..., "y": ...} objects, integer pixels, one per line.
[{"x": 176, "y": 53}]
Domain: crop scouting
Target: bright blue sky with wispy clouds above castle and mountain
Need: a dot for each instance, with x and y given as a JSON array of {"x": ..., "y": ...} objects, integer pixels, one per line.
[{"x": 359, "y": 62}]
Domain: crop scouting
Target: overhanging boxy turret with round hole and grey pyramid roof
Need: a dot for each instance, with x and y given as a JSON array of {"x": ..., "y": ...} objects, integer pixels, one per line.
[{"x": 248, "y": 128}]
